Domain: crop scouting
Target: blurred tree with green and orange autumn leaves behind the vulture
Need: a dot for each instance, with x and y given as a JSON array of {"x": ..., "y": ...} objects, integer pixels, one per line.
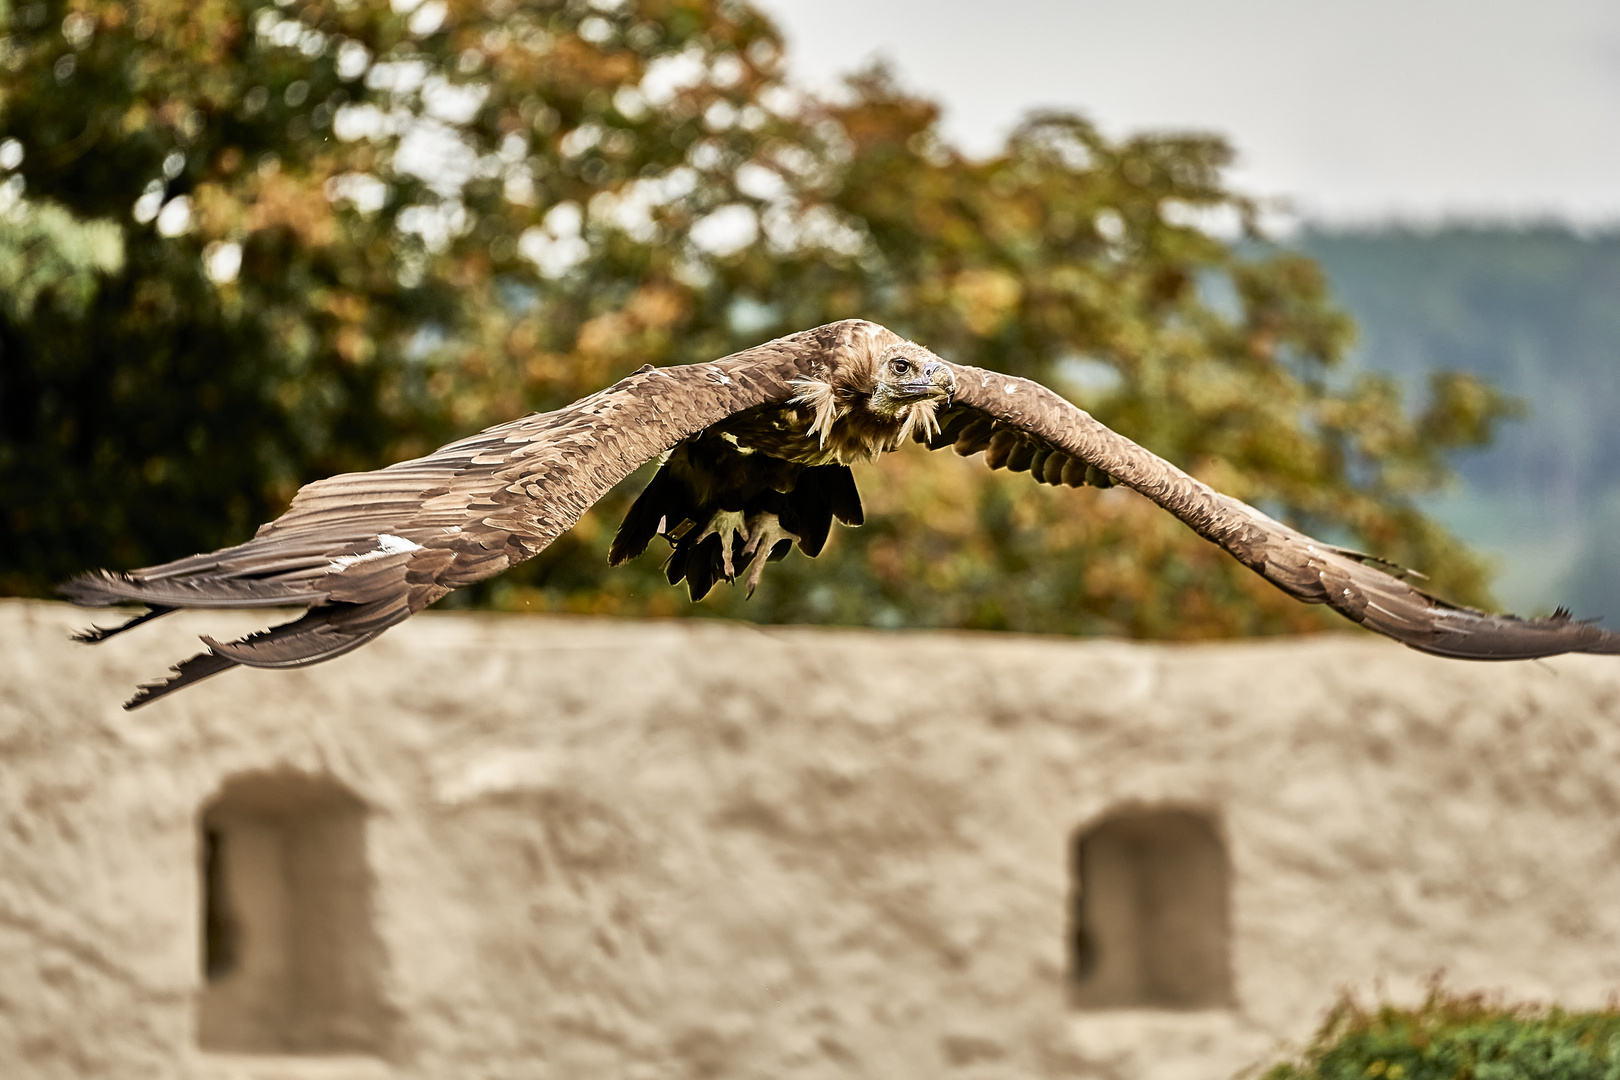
[{"x": 354, "y": 231}]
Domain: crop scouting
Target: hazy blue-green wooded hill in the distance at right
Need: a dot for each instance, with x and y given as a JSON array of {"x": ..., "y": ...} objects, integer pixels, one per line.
[{"x": 1538, "y": 312}]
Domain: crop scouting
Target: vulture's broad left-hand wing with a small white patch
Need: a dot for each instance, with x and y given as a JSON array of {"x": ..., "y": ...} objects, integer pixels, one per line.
[{"x": 369, "y": 550}]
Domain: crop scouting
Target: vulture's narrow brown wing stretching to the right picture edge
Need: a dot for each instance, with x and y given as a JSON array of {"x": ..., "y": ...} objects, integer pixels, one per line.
[{"x": 1021, "y": 425}]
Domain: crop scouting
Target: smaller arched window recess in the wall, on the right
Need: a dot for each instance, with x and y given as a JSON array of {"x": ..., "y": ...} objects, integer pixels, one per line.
[{"x": 1151, "y": 914}]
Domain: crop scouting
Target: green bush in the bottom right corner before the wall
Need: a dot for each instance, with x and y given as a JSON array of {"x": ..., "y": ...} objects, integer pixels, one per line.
[{"x": 1454, "y": 1037}]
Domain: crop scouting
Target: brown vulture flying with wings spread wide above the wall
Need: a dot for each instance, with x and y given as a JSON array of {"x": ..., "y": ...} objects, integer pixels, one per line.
[{"x": 756, "y": 453}]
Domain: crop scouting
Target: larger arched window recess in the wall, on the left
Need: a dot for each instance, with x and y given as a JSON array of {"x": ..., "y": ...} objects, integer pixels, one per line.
[{"x": 289, "y": 951}]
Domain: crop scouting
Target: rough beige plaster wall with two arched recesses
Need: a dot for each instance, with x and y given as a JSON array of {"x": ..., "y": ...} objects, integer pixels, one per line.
[{"x": 701, "y": 851}]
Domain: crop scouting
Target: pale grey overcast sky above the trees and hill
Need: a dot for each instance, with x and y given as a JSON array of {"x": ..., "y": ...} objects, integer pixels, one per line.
[{"x": 1357, "y": 109}]
